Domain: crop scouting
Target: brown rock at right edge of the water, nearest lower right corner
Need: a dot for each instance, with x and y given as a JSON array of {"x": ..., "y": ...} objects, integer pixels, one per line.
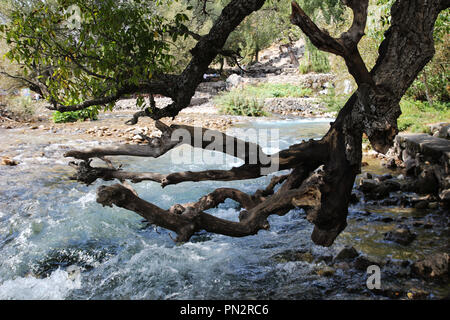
[{"x": 434, "y": 266}]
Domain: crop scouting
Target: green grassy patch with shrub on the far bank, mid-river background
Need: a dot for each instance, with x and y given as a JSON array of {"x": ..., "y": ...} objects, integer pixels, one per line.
[{"x": 249, "y": 101}]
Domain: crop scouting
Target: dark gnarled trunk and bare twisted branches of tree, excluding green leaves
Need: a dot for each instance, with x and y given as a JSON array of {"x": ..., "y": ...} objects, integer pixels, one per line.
[{"x": 323, "y": 171}]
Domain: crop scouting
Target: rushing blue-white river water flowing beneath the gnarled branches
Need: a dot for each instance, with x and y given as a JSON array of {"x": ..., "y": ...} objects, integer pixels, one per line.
[{"x": 56, "y": 242}]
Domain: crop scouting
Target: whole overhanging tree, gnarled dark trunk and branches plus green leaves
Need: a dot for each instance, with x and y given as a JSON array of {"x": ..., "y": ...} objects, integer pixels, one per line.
[{"x": 121, "y": 49}]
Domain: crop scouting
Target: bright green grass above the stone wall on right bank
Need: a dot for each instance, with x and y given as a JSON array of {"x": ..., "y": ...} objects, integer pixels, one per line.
[{"x": 416, "y": 115}]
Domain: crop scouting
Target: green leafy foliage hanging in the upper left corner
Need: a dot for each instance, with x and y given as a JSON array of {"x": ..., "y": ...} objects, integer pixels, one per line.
[{"x": 79, "y": 49}]
